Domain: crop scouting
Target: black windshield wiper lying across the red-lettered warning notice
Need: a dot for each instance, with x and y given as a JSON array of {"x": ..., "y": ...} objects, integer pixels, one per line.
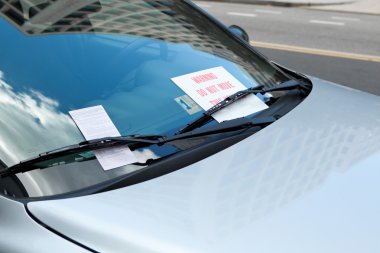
[{"x": 207, "y": 115}]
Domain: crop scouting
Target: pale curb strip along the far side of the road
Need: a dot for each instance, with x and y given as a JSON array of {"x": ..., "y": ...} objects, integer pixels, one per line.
[{"x": 283, "y": 3}]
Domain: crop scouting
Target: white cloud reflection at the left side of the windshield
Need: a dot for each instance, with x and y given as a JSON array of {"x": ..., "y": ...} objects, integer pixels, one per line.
[{"x": 29, "y": 117}]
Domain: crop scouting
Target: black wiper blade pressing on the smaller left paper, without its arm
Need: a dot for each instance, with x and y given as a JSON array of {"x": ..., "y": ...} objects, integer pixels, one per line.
[{"x": 84, "y": 146}]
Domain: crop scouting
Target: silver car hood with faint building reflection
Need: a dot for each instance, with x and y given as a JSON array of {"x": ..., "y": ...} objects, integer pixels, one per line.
[{"x": 307, "y": 183}]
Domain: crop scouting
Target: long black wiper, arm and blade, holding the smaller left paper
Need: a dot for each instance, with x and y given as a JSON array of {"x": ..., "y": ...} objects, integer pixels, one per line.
[{"x": 138, "y": 140}]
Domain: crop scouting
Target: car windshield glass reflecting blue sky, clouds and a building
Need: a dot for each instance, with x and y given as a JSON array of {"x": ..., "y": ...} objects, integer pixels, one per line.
[{"x": 57, "y": 56}]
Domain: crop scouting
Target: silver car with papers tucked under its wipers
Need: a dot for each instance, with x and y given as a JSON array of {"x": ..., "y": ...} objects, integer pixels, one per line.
[{"x": 149, "y": 126}]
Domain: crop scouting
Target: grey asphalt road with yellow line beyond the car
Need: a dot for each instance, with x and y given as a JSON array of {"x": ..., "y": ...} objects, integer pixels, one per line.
[{"x": 339, "y": 47}]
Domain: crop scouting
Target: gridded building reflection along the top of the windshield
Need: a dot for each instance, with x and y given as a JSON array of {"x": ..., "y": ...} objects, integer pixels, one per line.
[{"x": 161, "y": 20}]
